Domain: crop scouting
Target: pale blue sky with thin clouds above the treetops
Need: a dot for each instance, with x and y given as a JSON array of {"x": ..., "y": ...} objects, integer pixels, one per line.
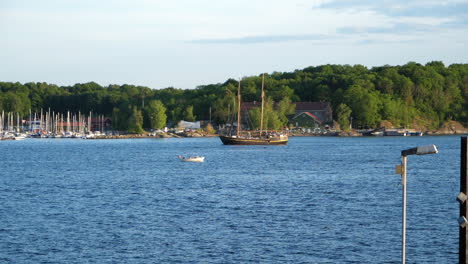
[{"x": 188, "y": 43}]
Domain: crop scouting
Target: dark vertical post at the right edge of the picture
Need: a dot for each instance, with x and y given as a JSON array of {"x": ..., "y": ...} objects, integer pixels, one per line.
[{"x": 462, "y": 251}]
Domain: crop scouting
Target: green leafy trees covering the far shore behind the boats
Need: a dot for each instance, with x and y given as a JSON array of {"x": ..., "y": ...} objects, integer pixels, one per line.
[{"x": 411, "y": 95}]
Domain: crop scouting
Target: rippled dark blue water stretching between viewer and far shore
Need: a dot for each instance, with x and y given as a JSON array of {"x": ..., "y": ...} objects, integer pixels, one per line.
[{"x": 317, "y": 200}]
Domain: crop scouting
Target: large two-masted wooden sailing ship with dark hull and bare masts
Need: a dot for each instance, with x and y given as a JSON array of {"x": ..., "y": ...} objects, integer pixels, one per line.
[{"x": 255, "y": 137}]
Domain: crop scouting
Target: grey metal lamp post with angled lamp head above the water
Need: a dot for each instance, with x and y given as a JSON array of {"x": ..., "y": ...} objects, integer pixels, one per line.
[{"x": 401, "y": 169}]
